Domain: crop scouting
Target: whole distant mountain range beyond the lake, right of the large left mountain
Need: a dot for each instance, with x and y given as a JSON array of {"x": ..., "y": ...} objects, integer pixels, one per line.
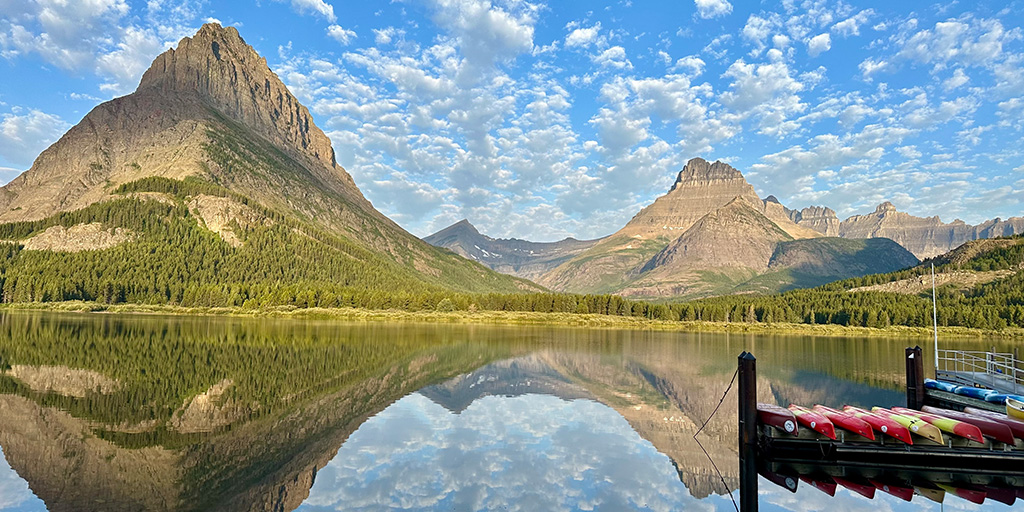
[{"x": 712, "y": 235}]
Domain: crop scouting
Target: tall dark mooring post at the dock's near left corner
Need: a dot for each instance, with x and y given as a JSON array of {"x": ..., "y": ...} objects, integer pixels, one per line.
[{"x": 748, "y": 433}]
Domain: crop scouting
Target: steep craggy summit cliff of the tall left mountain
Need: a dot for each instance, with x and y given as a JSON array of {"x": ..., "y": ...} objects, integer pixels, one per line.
[{"x": 232, "y": 77}]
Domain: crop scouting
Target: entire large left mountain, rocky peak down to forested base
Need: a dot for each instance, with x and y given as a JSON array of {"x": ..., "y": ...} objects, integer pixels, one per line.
[{"x": 211, "y": 186}]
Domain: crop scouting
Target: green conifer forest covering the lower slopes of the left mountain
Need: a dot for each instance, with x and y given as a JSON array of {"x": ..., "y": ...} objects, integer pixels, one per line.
[{"x": 174, "y": 260}]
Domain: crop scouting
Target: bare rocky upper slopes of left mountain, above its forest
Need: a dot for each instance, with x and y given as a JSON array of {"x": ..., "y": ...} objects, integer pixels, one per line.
[{"x": 212, "y": 110}]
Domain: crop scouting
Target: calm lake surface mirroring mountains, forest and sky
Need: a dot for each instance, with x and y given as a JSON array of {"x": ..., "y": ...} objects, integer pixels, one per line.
[{"x": 153, "y": 413}]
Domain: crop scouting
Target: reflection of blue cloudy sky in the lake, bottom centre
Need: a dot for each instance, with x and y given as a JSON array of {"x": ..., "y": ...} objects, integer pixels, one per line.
[{"x": 527, "y": 453}]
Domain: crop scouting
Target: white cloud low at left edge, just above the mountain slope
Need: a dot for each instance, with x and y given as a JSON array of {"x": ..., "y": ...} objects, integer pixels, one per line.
[{"x": 25, "y": 135}]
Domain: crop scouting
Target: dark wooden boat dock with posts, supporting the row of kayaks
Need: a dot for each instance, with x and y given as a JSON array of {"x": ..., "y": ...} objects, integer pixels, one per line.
[{"x": 972, "y": 471}]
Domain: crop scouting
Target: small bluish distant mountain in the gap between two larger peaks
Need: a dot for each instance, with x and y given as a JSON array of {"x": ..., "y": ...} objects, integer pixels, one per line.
[{"x": 517, "y": 258}]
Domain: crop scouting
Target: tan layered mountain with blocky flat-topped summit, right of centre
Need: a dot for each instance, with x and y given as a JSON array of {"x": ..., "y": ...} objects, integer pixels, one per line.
[{"x": 712, "y": 235}]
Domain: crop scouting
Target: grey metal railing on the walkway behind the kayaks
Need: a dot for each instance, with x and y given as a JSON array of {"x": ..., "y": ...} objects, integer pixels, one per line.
[{"x": 994, "y": 370}]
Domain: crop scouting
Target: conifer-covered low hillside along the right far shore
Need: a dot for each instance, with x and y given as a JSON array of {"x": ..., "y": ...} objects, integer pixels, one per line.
[{"x": 991, "y": 305}]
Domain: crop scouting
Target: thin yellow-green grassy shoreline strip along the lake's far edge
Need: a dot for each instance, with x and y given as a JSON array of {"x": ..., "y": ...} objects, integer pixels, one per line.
[{"x": 589, "y": 321}]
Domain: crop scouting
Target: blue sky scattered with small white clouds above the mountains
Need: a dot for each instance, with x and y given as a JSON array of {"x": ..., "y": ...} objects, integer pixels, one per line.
[{"x": 542, "y": 120}]
